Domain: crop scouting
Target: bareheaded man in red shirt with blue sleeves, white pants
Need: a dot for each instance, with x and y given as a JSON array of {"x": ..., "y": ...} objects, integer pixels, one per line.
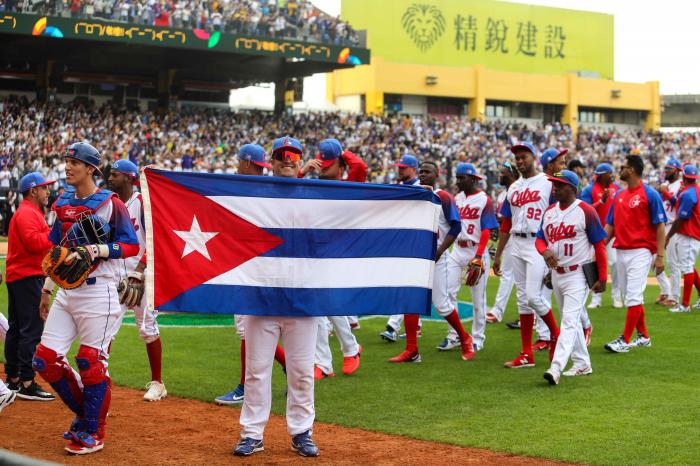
[{"x": 637, "y": 222}]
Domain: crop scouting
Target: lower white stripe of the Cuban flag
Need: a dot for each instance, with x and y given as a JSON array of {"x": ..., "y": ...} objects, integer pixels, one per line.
[{"x": 289, "y": 272}]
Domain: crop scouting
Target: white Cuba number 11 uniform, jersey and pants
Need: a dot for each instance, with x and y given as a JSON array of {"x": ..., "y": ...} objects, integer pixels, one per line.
[{"x": 571, "y": 233}]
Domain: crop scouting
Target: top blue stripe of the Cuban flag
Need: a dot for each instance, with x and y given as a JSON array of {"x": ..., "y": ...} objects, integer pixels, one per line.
[{"x": 208, "y": 184}]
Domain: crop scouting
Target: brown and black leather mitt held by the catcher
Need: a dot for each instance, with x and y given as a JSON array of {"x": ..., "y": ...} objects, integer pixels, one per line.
[{"x": 68, "y": 268}]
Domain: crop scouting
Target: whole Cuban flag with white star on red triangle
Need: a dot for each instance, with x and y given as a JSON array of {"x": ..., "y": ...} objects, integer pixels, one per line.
[{"x": 269, "y": 246}]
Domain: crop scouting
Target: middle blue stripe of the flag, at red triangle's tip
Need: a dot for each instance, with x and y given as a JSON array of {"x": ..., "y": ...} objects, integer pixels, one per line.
[{"x": 336, "y": 244}]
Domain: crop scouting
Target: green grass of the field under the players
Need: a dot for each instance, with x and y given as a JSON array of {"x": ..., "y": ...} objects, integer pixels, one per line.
[{"x": 636, "y": 408}]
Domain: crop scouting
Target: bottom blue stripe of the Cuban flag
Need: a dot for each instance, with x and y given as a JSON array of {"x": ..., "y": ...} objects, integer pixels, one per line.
[{"x": 301, "y": 302}]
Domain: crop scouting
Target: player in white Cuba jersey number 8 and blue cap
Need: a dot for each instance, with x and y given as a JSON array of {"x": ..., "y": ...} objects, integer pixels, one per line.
[{"x": 478, "y": 220}]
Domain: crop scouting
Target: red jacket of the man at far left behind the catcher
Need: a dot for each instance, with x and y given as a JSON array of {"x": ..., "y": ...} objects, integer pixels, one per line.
[{"x": 27, "y": 242}]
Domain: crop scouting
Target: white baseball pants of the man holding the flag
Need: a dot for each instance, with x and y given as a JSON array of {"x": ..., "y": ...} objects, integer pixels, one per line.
[{"x": 298, "y": 337}]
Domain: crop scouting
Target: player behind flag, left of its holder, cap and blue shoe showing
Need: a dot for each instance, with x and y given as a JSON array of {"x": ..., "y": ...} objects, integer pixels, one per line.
[{"x": 251, "y": 161}]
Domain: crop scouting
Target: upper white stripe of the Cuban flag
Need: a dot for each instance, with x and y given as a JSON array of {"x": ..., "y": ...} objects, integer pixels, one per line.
[{"x": 268, "y": 212}]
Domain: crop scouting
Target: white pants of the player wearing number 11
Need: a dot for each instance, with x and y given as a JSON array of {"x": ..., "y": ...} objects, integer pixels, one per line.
[{"x": 571, "y": 290}]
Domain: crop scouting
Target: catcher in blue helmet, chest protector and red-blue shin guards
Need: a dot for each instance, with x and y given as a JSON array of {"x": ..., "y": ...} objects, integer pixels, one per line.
[{"x": 88, "y": 312}]
